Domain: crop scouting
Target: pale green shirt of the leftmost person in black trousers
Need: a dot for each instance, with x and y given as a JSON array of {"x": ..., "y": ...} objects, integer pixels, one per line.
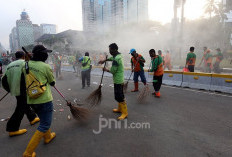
[{"x": 13, "y": 73}]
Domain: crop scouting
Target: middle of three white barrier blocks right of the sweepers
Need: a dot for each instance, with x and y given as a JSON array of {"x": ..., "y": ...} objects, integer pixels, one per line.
[{"x": 196, "y": 80}]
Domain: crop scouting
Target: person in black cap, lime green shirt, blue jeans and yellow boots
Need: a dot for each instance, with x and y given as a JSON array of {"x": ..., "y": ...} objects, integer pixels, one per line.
[{"x": 42, "y": 105}]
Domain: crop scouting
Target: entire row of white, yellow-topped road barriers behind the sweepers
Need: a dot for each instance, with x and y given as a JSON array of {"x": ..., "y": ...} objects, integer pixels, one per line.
[{"x": 206, "y": 81}]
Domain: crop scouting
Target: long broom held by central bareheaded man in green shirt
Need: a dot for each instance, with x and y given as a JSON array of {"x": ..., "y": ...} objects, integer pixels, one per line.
[{"x": 96, "y": 96}]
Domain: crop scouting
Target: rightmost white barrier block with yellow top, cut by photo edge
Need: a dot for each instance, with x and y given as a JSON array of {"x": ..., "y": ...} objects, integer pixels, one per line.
[{"x": 221, "y": 83}]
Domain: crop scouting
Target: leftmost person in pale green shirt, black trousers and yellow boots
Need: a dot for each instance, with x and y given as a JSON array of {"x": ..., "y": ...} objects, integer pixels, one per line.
[{"x": 13, "y": 81}]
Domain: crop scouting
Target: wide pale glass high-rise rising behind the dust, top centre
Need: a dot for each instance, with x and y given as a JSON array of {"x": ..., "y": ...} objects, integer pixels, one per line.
[{"x": 104, "y": 14}]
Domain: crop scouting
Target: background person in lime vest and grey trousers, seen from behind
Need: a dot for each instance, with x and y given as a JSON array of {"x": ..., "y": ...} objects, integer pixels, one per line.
[{"x": 85, "y": 69}]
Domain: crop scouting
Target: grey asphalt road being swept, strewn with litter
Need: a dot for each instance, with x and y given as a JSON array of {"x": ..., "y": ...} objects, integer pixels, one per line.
[{"x": 183, "y": 123}]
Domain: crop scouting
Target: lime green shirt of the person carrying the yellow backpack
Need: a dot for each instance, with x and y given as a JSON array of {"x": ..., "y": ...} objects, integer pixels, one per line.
[{"x": 42, "y": 72}]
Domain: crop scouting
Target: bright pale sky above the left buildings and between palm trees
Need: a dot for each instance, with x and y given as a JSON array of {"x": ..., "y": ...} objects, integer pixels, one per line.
[{"x": 67, "y": 14}]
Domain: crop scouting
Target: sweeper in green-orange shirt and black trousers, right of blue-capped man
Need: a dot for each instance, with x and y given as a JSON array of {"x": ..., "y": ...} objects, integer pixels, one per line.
[{"x": 157, "y": 68}]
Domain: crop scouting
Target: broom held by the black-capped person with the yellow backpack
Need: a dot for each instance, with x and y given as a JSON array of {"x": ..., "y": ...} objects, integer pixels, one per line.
[{"x": 77, "y": 112}]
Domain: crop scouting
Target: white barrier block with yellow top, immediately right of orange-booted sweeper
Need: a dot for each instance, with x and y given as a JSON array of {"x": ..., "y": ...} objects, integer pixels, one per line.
[{"x": 173, "y": 78}]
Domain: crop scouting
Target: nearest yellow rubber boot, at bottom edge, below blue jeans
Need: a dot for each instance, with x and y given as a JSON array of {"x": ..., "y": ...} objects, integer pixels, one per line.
[{"x": 29, "y": 152}]
